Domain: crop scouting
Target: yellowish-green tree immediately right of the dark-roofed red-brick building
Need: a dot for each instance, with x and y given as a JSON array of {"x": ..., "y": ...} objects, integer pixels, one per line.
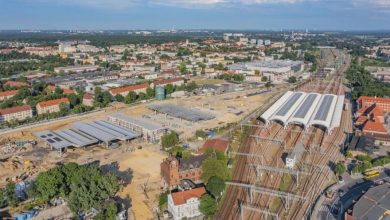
[{"x": 213, "y": 167}]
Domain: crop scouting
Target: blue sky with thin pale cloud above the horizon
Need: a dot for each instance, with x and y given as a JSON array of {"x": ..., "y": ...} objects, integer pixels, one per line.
[{"x": 195, "y": 14}]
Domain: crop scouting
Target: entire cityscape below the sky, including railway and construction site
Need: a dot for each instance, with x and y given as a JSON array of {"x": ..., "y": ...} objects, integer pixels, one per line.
[{"x": 194, "y": 125}]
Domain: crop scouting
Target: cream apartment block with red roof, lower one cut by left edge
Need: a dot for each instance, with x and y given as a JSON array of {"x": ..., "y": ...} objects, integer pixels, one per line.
[{"x": 18, "y": 113}]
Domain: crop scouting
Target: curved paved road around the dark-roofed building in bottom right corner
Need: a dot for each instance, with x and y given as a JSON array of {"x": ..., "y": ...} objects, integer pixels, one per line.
[{"x": 347, "y": 193}]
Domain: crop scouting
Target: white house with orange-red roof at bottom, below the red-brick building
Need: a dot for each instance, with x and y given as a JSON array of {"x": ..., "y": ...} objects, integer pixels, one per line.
[{"x": 185, "y": 204}]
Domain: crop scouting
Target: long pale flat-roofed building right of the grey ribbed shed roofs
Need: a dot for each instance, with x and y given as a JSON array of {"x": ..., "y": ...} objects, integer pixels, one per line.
[{"x": 150, "y": 130}]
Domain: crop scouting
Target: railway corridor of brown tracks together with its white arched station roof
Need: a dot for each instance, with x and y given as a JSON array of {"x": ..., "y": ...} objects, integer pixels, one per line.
[{"x": 289, "y": 151}]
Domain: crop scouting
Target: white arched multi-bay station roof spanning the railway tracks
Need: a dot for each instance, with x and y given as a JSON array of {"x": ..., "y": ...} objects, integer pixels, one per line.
[{"x": 307, "y": 109}]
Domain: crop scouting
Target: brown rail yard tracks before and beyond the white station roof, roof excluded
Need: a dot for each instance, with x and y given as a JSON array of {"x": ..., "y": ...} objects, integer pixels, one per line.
[{"x": 261, "y": 186}]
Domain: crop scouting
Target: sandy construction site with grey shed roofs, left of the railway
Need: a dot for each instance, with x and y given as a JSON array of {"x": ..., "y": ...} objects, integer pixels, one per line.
[{"x": 25, "y": 152}]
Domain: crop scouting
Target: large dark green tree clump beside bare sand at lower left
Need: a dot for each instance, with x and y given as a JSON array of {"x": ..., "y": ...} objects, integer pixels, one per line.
[{"x": 84, "y": 187}]
